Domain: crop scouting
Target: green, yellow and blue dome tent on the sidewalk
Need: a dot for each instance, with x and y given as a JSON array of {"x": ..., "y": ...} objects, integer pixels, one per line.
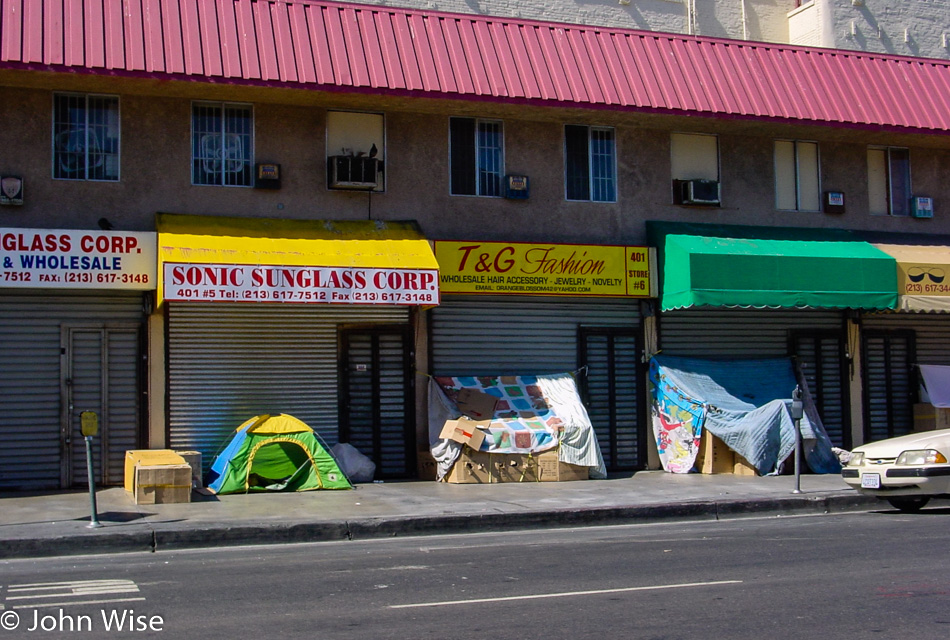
[{"x": 275, "y": 453}]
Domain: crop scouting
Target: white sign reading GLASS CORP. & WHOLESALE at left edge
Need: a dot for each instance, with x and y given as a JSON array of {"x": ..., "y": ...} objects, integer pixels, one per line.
[{"x": 74, "y": 259}]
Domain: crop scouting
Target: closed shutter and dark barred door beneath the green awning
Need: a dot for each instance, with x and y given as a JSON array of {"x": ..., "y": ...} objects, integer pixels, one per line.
[{"x": 817, "y": 338}]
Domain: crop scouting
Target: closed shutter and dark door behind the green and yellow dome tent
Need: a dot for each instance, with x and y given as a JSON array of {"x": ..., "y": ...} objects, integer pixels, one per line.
[{"x": 343, "y": 370}]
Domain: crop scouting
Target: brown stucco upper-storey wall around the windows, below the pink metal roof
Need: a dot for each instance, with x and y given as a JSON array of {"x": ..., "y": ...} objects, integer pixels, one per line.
[{"x": 155, "y": 167}]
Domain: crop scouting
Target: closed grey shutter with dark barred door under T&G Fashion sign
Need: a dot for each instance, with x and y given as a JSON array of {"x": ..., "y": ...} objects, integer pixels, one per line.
[{"x": 601, "y": 339}]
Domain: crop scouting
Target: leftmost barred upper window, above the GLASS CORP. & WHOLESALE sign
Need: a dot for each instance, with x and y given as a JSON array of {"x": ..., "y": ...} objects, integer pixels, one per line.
[{"x": 85, "y": 137}]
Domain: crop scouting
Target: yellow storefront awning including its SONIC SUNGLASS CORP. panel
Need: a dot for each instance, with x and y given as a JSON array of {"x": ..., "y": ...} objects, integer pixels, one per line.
[{"x": 223, "y": 259}]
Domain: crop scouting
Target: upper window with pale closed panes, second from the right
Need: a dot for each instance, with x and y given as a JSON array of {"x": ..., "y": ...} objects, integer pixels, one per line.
[{"x": 797, "y": 178}]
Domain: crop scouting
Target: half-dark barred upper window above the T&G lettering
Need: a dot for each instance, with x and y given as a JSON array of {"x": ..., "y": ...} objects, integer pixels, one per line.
[{"x": 476, "y": 157}]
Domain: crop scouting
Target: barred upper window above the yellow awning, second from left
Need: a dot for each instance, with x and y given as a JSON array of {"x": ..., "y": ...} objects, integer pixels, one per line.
[{"x": 222, "y": 144}]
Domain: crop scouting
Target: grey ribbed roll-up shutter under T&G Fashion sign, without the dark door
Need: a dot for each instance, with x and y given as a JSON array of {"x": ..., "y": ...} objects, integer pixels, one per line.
[{"x": 474, "y": 335}]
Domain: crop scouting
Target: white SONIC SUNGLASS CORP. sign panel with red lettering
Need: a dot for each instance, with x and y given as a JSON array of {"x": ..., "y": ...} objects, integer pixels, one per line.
[{"x": 303, "y": 284}]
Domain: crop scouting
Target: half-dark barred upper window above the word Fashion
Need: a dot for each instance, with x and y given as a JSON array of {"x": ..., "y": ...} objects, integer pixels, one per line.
[{"x": 590, "y": 163}]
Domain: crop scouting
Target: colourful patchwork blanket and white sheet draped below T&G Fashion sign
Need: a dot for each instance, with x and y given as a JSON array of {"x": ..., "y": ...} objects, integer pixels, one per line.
[{"x": 523, "y": 415}]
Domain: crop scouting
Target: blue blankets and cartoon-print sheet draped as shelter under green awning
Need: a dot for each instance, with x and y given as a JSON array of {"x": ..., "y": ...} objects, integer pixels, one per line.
[{"x": 743, "y": 402}]
